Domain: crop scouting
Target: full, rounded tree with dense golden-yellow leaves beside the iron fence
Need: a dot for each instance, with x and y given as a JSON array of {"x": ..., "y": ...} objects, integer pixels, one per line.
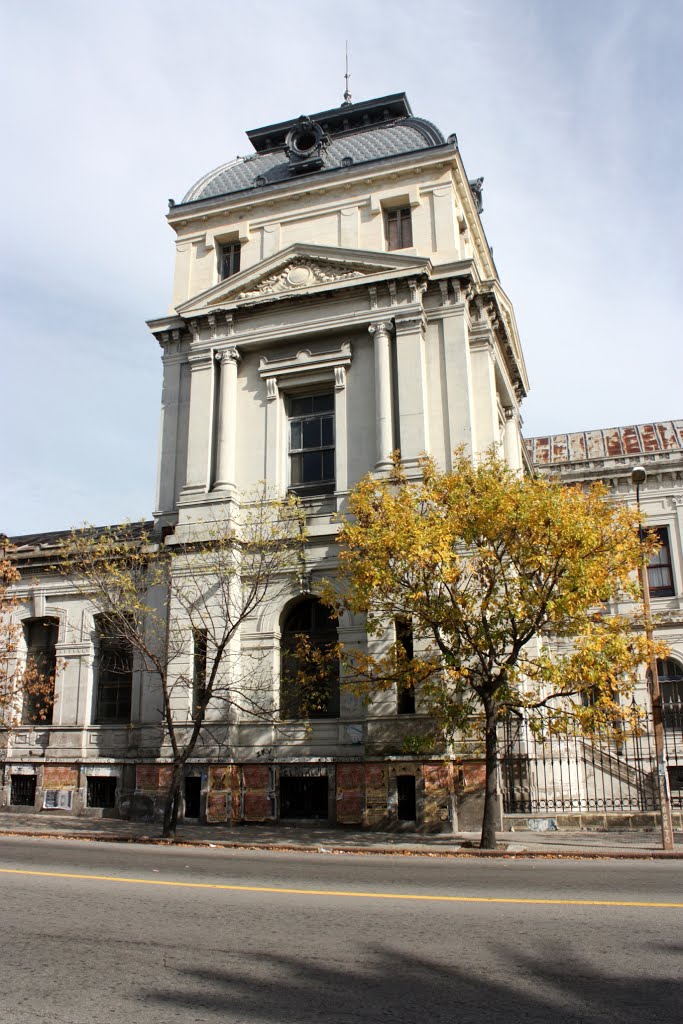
[{"x": 503, "y": 578}]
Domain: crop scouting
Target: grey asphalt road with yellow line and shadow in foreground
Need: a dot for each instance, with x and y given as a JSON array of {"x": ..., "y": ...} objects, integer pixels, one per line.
[{"x": 136, "y": 935}]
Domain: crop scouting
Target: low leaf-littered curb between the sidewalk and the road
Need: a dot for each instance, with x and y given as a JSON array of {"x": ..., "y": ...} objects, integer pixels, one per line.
[{"x": 551, "y": 855}]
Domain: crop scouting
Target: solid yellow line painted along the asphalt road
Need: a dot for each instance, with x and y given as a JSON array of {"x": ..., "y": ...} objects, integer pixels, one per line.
[{"x": 338, "y": 892}]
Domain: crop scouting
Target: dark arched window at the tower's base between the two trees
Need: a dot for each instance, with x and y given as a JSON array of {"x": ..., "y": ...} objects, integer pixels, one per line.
[{"x": 310, "y": 668}]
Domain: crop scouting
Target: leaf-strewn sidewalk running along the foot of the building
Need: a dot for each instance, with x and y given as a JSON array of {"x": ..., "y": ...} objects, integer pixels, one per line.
[{"x": 644, "y": 845}]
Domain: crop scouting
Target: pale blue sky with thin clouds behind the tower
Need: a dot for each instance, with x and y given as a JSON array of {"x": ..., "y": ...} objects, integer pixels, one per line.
[{"x": 572, "y": 113}]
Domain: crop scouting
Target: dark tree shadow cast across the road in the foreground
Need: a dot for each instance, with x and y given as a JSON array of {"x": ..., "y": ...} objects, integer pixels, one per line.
[{"x": 381, "y": 986}]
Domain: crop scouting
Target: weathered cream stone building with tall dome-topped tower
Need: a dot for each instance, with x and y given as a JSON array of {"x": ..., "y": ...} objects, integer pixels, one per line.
[{"x": 335, "y": 300}]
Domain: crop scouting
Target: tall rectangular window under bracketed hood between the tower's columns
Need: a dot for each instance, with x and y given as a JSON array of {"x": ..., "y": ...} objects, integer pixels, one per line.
[{"x": 313, "y": 445}]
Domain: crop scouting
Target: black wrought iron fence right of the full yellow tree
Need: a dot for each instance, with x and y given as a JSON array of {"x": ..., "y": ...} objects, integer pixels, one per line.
[{"x": 567, "y": 774}]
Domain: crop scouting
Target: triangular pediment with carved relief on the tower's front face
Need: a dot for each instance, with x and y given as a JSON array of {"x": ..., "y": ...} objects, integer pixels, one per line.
[{"x": 298, "y": 271}]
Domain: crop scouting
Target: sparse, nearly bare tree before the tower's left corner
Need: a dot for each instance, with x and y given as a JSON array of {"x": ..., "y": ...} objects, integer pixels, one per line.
[{"x": 180, "y": 607}]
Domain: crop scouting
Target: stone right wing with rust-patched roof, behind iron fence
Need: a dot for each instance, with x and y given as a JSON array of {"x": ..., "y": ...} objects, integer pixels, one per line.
[{"x": 604, "y": 781}]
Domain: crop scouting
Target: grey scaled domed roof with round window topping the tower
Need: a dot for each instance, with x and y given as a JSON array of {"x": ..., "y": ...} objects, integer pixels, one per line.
[{"x": 355, "y": 134}]
